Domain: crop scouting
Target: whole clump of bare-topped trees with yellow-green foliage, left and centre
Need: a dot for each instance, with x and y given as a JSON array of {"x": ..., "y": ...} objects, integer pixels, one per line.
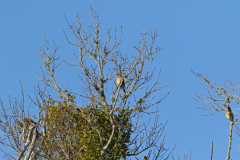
[{"x": 118, "y": 91}]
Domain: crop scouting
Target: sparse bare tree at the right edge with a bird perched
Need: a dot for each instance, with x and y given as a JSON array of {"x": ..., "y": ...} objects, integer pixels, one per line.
[{"x": 218, "y": 99}]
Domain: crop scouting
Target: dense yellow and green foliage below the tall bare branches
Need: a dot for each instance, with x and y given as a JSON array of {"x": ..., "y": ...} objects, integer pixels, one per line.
[{"x": 68, "y": 130}]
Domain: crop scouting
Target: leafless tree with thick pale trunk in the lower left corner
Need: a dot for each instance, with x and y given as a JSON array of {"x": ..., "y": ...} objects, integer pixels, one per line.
[{"x": 19, "y": 131}]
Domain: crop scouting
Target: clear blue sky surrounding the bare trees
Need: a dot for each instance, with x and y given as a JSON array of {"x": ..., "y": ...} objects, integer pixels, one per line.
[{"x": 200, "y": 35}]
